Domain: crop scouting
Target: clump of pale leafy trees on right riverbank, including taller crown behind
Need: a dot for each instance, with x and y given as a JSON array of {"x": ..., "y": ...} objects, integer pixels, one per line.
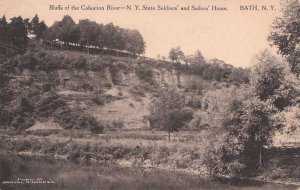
[{"x": 243, "y": 120}]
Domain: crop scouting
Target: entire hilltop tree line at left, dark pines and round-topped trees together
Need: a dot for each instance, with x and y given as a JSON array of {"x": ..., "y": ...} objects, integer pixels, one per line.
[{"x": 86, "y": 33}]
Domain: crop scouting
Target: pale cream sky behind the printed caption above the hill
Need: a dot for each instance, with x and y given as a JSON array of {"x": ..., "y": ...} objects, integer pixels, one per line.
[{"x": 234, "y": 35}]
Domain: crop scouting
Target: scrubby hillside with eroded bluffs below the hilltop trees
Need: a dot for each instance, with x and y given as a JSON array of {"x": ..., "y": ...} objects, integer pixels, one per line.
[{"x": 116, "y": 91}]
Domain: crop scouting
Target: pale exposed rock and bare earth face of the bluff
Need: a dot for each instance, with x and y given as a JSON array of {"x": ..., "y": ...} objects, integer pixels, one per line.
[{"x": 129, "y": 96}]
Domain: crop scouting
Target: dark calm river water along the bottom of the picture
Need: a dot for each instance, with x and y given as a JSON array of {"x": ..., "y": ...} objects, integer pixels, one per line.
[{"x": 68, "y": 175}]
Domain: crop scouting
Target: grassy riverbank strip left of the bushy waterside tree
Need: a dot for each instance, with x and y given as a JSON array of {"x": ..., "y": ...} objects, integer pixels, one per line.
[{"x": 127, "y": 148}]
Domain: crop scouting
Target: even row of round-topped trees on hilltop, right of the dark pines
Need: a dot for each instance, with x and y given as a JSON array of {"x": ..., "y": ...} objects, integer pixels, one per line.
[{"x": 89, "y": 33}]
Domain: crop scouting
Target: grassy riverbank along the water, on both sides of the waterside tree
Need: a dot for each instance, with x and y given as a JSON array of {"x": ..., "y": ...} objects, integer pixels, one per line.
[{"x": 147, "y": 149}]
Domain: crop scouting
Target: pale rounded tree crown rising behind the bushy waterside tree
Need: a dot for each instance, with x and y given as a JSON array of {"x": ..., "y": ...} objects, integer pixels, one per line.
[{"x": 274, "y": 82}]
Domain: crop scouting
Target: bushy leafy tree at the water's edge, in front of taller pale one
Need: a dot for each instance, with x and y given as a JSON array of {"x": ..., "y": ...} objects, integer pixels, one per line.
[{"x": 240, "y": 126}]
